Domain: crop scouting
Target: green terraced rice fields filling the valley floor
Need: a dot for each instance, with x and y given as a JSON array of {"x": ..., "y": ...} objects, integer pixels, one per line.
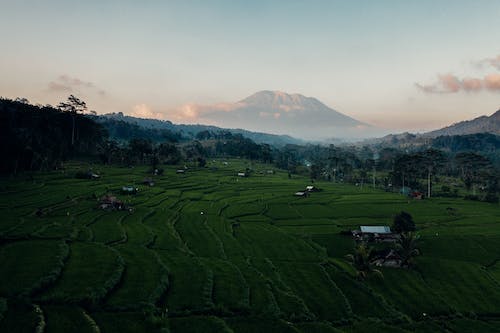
[{"x": 206, "y": 250}]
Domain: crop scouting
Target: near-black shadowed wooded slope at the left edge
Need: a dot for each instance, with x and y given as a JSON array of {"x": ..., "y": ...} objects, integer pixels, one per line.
[{"x": 36, "y": 137}]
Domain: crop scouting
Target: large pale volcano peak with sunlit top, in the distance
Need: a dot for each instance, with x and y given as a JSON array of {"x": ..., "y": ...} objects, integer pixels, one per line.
[{"x": 278, "y": 112}]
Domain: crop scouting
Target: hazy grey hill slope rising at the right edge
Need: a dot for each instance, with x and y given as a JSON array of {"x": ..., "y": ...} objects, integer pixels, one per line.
[{"x": 483, "y": 124}]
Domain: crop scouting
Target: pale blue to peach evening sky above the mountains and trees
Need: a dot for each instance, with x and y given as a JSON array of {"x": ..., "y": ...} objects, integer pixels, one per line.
[{"x": 401, "y": 65}]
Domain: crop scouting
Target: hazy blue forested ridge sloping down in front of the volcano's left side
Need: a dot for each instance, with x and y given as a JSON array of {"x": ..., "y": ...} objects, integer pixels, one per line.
[{"x": 164, "y": 129}]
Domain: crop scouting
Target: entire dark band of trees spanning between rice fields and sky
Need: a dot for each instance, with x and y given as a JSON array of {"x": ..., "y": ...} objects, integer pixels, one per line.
[{"x": 42, "y": 137}]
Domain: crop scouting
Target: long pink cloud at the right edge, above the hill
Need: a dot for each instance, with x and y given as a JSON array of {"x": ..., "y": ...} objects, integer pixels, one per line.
[{"x": 449, "y": 83}]
